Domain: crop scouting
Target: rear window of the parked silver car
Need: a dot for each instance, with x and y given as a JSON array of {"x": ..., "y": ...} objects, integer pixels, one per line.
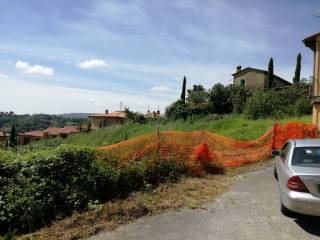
[{"x": 306, "y": 157}]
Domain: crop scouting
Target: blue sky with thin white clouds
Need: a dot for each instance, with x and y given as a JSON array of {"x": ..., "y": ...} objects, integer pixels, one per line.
[{"x": 89, "y": 55}]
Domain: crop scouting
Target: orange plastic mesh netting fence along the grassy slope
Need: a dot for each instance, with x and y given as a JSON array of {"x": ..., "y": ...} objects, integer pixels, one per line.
[{"x": 203, "y": 146}]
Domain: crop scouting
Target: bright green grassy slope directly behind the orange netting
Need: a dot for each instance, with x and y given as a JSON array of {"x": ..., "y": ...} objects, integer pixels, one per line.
[{"x": 235, "y": 126}]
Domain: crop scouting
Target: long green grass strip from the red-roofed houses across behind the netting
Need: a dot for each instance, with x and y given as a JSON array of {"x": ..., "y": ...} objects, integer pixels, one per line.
[{"x": 236, "y": 126}]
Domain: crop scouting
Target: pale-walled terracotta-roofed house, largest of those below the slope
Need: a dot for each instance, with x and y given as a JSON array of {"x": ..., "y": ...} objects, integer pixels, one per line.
[{"x": 107, "y": 119}]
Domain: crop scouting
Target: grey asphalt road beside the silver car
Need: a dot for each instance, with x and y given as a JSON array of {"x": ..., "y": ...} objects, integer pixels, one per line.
[{"x": 250, "y": 210}]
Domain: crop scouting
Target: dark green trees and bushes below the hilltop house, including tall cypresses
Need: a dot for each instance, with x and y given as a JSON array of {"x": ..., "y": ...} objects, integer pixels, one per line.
[{"x": 256, "y": 103}]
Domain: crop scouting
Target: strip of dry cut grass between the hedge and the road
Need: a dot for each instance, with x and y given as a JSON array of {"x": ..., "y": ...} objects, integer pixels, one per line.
[{"x": 188, "y": 192}]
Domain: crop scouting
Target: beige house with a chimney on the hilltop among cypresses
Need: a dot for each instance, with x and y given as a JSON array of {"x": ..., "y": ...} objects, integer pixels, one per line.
[{"x": 254, "y": 78}]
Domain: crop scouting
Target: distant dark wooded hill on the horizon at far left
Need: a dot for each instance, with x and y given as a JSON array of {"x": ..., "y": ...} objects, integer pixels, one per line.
[{"x": 27, "y": 122}]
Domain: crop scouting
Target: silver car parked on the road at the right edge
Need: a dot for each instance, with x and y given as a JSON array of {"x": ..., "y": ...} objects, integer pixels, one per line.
[{"x": 297, "y": 169}]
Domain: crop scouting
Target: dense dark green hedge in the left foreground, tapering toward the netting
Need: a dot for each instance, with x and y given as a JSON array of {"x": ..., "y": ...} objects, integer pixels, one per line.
[{"x": 37, "y": 188}]
